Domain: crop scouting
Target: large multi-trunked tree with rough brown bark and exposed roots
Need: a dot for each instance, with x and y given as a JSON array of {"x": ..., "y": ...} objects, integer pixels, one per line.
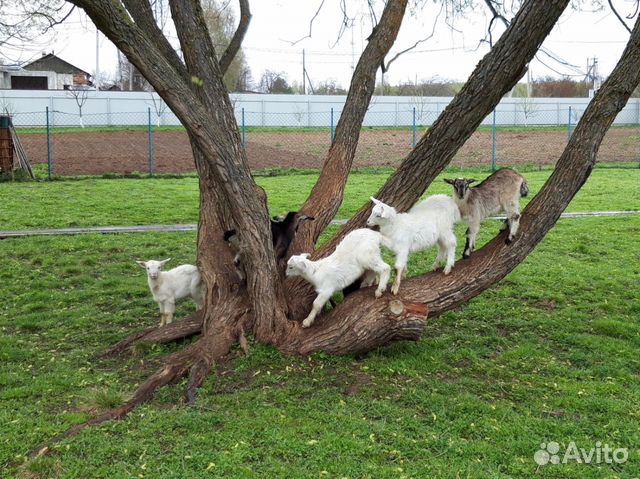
[{"x": 268, "y": 307}]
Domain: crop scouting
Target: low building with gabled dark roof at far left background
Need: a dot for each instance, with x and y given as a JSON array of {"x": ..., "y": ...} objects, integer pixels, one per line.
[{"x": 46, "y": 73}]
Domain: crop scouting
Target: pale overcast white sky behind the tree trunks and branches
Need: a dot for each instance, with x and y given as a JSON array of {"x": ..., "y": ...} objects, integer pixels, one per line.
[{"x": 279, "y": 31}]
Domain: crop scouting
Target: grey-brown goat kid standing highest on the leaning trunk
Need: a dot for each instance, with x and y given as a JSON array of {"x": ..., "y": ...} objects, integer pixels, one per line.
[{"x": 499, "y": 193}]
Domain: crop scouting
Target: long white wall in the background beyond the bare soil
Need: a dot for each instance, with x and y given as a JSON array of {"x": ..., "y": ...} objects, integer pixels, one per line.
[{"x": 132, "y": 108}]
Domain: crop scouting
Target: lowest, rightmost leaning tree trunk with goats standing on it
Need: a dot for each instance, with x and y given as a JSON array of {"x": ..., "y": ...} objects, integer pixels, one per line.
[{"x": 494, "y": 261}]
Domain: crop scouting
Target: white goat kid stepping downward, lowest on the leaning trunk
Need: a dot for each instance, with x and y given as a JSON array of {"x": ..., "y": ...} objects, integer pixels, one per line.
[{"x": 357, "y": 253}]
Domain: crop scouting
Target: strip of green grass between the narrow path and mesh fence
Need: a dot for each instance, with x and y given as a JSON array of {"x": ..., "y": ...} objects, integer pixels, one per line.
[{"x": 132, "y": 201}]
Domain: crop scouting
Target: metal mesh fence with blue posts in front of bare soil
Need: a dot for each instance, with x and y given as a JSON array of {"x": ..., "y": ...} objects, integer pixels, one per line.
[{"x": 152, "y": 142}]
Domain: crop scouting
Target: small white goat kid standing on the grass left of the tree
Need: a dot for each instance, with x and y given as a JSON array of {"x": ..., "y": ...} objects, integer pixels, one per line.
[{"x": 169, "y": 286}]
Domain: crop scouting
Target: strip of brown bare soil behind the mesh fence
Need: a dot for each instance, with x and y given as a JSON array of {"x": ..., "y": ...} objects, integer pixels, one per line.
[{"x": 95, "y": 153}]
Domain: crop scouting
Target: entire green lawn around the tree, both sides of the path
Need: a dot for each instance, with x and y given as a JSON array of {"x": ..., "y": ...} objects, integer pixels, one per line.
[{"x": 549, "y": 354}]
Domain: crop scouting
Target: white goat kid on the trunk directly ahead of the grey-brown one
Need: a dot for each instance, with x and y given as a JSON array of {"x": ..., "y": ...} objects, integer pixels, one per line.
[{"x": 424, "y": 225}]
